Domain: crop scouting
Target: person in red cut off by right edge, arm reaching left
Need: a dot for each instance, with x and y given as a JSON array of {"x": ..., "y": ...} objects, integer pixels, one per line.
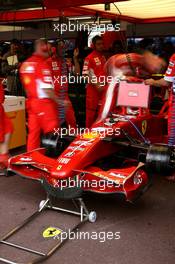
[{"x": 168, "y": 80}]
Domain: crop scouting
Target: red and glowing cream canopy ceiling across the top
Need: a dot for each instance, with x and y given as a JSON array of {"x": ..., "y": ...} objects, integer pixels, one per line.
[{"x": 134, "y": 11}]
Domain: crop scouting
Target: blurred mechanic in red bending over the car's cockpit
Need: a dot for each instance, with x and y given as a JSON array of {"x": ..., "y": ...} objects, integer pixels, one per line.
[{"x": 132, "y": 67}]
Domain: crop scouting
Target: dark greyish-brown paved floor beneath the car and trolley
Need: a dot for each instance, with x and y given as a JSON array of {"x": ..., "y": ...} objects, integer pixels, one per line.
[{"x": 147, "y": 228}]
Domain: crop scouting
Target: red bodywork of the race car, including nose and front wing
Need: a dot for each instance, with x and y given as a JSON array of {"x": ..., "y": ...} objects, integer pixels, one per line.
[{"x": 78, "y": 161}]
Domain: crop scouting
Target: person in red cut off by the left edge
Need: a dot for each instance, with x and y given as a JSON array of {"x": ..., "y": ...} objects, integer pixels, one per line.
[{"x": 6, "y": 130}]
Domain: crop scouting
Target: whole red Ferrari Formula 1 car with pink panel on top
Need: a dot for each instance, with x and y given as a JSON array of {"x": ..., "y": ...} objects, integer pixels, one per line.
[{"x": 113, "y": 158}]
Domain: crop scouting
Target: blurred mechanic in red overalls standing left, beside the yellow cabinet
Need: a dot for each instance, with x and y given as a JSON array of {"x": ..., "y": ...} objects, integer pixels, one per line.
[{"x": 42, "y": 102}]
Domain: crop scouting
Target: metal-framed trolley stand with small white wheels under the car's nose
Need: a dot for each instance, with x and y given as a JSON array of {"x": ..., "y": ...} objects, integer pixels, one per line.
[{"x": 83, "y": 213}]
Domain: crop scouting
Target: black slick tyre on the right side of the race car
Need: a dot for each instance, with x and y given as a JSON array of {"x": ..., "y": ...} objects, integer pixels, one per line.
[{"x": 158, "y": 159}]
